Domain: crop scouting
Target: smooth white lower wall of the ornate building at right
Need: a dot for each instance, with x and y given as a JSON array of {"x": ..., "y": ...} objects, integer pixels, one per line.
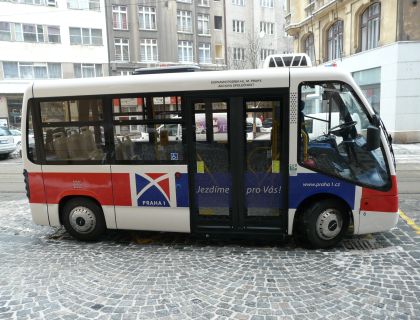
[{"x": 400, "y": 85}]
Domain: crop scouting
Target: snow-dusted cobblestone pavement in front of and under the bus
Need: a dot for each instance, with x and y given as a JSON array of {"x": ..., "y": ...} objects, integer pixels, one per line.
[{"x": 45, "y": 274}]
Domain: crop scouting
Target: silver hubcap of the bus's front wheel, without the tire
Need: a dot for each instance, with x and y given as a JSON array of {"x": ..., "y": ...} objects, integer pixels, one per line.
[{"x": 329, "y": 224}]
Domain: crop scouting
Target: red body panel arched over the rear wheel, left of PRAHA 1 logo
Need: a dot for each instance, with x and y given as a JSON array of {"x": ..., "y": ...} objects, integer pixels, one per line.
[{"x": 96, "y": 185}]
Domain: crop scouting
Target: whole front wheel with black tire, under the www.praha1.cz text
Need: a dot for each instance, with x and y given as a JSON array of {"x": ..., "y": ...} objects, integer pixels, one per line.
[{"x": 324, "y": 223}]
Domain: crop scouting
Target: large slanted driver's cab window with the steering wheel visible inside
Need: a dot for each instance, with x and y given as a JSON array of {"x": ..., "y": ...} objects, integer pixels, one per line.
[{"x": 334, "y": 129}]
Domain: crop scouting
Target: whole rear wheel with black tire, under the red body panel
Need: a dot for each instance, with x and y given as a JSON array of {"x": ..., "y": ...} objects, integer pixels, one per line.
[{"x": 83, "y": 219}]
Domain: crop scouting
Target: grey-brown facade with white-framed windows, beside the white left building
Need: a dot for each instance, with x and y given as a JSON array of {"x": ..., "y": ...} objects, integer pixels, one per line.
[{"x": 153, "y": 33}]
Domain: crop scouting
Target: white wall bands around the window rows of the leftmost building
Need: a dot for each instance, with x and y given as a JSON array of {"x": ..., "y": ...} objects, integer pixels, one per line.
[{"x": 63, "y": 17}]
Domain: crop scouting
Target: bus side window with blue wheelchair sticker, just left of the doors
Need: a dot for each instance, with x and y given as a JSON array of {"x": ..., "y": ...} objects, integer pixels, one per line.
[{"x": 139, "y": 133}]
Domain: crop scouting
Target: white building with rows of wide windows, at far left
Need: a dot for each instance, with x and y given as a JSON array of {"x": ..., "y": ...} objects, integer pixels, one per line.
[{"x": 48, "y": 39}]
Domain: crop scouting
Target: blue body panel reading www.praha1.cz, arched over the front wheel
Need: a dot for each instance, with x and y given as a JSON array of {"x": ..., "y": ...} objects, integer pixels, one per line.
[{"x": 305, "y": 185}]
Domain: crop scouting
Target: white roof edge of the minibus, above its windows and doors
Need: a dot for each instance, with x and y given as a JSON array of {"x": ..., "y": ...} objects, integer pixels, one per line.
[{"x": 179, "y": 82}]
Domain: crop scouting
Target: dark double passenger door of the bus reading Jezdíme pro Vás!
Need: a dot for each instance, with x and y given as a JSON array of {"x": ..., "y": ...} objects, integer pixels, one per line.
[{"x": 238, "y": 165}]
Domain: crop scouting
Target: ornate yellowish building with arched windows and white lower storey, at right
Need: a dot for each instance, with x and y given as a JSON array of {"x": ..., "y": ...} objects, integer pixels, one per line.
[{"x": 377, "y": 41}]
